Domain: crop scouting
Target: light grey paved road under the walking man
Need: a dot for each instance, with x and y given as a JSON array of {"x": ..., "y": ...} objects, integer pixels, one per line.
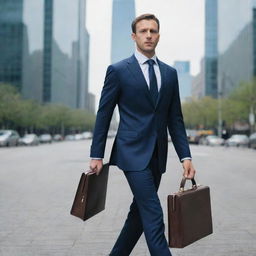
[{"x": 37, "y": 186}]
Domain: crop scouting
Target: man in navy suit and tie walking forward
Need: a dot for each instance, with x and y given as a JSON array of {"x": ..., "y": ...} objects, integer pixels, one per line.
[{"x": 146, "y": 92}]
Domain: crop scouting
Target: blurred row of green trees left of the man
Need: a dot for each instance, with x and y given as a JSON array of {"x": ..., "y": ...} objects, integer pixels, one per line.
[{"x": 30, "y": 116}]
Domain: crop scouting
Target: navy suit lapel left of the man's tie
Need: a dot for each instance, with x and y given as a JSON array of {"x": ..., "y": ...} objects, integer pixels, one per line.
[{"x": 136, "y": 71}]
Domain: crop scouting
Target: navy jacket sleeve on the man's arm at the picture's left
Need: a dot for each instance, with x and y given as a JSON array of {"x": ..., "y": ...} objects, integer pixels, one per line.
[{"x": 108, "y": 100}]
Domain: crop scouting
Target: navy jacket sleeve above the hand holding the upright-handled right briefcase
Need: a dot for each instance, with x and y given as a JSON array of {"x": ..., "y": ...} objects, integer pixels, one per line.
[{"x": 176, "y": 125}]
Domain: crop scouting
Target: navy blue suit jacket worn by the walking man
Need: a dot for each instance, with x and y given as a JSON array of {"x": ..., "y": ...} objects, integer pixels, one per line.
[{"x": 142, "y": 123}]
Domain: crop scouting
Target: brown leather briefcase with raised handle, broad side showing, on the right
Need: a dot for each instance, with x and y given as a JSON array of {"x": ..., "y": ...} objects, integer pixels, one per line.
[{"x": 189, "y": 215}]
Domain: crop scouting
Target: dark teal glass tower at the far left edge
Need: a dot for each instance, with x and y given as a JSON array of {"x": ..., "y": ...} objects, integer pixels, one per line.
[{"x": 12, "y": 39}]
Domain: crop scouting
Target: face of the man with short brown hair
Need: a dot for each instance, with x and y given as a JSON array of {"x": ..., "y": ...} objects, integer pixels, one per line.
[{"x": 146, "y": 37}]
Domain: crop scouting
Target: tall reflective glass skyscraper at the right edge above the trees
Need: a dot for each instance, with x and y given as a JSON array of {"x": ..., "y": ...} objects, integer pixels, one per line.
[{"x": 230, "y": 45}]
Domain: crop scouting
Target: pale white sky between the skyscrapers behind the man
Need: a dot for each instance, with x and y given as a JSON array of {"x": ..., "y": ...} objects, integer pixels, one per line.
[{"x": 181, "y": 34}]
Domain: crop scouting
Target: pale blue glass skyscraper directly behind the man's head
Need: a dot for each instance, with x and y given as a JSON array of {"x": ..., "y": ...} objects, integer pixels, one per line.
[{"x": 122, "y": 16}]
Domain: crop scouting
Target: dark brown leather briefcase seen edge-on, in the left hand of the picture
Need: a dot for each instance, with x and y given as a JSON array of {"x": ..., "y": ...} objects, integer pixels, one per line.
[{"x": 91, "y": 193}]
